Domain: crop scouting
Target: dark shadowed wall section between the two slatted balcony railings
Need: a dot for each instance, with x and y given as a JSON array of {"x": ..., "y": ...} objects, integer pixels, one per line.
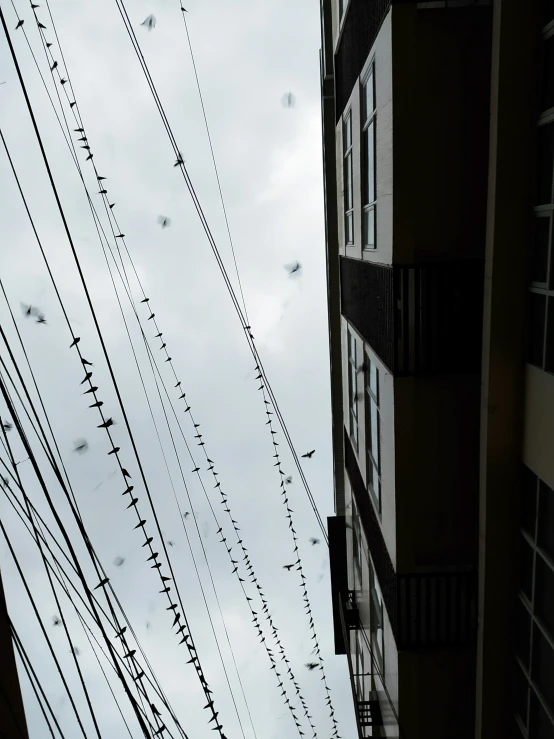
[{"x": 437, "y": 471}]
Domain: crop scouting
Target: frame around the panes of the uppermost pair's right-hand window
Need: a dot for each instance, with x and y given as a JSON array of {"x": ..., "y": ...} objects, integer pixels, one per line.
[{"x": 368, "y": 119}]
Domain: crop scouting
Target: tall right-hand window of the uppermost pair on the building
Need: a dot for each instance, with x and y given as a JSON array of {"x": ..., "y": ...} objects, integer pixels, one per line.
[{"x": 368, "y": 161}]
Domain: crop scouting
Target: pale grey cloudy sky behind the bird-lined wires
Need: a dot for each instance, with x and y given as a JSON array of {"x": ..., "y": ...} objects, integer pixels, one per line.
[{"x": 248, "y": 54}]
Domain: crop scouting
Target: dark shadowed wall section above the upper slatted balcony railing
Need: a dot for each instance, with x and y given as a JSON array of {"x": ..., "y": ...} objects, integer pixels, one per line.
[{"x": 441, "y": 63}]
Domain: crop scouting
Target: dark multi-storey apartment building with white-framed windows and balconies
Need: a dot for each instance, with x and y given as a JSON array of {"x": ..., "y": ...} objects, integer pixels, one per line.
[{"x": 438, "y": 146}]
